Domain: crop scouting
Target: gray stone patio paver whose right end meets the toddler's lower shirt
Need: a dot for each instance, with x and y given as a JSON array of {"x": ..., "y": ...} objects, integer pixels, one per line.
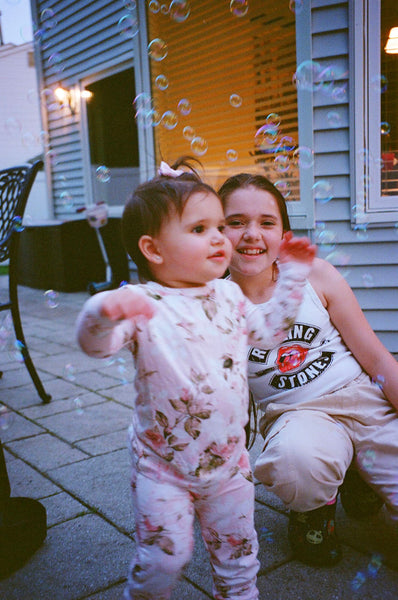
[{"x": 90, "y": 421}]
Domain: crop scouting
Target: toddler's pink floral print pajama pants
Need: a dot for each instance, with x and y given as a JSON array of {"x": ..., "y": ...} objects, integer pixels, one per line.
[{"x": 164, "y": 512}]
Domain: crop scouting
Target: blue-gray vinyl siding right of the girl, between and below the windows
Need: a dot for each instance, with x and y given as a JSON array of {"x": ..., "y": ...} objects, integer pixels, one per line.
[{"x": 372, "y": 269}]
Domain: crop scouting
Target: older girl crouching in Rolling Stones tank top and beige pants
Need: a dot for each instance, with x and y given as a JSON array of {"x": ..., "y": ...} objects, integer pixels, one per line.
[{"x": 321, "y": 410}]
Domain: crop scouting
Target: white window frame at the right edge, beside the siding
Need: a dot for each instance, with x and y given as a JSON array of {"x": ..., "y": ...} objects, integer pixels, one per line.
[{"x": 365, "y": 111}]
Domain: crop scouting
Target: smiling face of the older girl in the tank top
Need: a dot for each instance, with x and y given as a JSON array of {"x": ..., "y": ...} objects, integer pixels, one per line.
[{"x": 253, "y": 224}]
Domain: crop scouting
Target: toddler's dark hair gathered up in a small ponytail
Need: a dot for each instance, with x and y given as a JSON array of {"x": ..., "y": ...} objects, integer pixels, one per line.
[{"x": 153, "y": 203}]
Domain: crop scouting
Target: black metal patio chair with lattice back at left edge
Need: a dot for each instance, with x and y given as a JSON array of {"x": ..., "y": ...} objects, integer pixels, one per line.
[{"x": 15, "y": 186}]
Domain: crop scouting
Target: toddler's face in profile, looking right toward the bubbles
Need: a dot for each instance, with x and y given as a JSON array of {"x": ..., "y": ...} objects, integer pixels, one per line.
[{"x": 193, "y": 247}]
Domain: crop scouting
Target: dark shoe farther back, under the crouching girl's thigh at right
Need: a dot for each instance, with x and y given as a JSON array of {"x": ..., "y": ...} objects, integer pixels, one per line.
[{"x": 358, "y": 499}]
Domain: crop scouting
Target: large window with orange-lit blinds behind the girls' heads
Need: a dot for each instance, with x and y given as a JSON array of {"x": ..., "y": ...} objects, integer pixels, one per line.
[{"x": 223, "y": 89}]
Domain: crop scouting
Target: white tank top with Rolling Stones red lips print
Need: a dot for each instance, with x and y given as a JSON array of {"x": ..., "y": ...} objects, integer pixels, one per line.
[{"x": 313, "y": 360}]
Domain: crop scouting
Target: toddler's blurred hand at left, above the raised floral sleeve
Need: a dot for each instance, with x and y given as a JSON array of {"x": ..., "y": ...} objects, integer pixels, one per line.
[{"x": 124, "y": 303}]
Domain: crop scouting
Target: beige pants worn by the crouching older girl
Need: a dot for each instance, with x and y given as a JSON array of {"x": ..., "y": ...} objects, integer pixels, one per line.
[{"x": 308, "y": 448}]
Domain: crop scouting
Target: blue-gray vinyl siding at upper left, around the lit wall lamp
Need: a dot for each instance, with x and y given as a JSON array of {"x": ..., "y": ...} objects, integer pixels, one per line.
[{"x": 87, "y": 39}]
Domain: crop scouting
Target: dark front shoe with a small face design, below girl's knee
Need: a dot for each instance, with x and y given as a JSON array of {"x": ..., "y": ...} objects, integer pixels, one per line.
[{"x": 312, "y": 536}]
